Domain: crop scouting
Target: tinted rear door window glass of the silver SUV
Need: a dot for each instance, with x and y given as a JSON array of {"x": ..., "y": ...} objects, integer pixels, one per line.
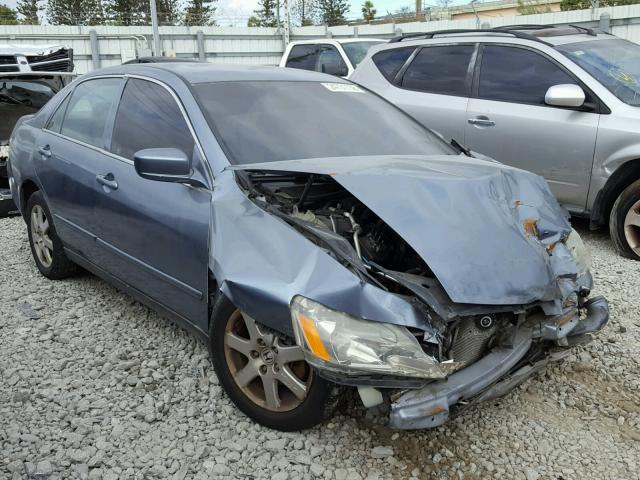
[{"x": 440, "y": 70}]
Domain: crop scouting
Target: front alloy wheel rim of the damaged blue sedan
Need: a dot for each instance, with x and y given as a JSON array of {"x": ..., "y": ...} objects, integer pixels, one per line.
[{"x": 269, "y": 369}]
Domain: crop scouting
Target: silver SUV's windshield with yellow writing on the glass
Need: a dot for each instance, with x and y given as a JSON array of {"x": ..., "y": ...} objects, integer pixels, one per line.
[{"x": 614, "y": 63}]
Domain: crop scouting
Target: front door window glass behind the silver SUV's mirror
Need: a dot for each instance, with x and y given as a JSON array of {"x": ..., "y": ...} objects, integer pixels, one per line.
[{"x": 511, "y": 74}]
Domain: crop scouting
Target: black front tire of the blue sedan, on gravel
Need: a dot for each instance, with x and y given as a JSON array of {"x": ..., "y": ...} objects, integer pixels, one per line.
[{"x": 317, "y": 406}]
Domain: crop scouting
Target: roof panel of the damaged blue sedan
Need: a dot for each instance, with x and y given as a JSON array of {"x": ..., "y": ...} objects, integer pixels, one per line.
[{"x": 202, "y": 72}]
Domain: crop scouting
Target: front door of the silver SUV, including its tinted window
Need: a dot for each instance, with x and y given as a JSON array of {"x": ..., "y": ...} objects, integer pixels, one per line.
[{"x": 508, "y": 120}]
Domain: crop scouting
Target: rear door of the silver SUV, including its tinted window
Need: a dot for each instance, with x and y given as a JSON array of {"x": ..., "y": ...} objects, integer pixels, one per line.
[{"x": 434, "y": 87}]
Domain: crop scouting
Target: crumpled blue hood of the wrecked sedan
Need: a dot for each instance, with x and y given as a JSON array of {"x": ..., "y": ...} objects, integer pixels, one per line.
[{"x": 484, "y": 229}]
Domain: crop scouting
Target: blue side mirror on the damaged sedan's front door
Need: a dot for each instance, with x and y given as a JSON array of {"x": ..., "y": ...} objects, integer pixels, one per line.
[{"x": 163, "y": 164}]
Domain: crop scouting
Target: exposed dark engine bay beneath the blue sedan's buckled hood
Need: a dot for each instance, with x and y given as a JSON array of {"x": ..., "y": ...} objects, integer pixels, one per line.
[{"x": 332, "y": 218}]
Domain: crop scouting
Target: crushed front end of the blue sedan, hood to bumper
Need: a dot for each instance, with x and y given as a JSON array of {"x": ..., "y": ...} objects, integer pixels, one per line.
[{"x": 468, "y": 276}]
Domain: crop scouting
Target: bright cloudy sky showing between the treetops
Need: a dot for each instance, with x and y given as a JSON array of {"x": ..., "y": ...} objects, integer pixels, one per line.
[{"x": 236, "y": 12}]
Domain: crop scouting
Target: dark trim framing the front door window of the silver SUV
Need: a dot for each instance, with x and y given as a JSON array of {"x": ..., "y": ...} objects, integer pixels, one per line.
[{"x": 600, "y": 107}]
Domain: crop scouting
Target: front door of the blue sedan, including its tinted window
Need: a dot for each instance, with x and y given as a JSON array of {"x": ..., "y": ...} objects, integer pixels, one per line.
[{"x": 155, "y": 235}]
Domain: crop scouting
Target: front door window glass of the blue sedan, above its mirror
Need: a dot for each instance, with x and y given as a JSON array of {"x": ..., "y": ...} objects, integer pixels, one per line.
[{"x": 149, "y": 117}]
